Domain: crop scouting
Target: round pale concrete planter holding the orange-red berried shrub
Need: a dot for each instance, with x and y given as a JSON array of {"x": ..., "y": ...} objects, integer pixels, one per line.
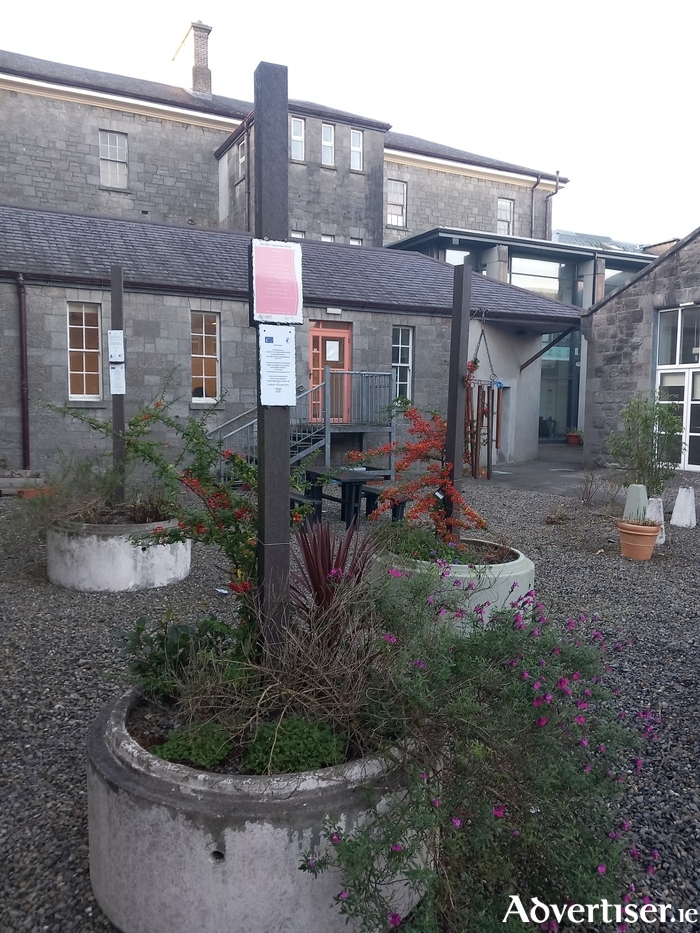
[{"x": 493, "y": 583}]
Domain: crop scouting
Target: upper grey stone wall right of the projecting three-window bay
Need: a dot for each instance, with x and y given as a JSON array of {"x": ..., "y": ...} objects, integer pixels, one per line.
[{"x": 438, "y": 198}]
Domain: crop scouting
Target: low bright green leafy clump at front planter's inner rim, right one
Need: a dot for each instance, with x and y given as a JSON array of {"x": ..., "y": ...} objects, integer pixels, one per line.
[{"x": 293, "y": 744}]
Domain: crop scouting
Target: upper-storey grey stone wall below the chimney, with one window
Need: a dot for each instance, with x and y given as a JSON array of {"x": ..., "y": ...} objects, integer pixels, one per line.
[{"x": 49, "y": 149}]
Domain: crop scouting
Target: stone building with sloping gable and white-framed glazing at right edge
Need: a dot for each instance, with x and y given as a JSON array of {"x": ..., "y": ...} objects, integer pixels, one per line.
[{"x": 645, "y": 336}]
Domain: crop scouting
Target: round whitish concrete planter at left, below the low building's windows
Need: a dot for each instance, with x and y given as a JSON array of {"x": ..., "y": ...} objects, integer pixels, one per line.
[{"x": 105, "y": 557}]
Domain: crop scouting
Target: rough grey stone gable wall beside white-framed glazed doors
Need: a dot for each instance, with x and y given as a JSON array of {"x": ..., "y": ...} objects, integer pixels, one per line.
[{"x": 621, "y": 337}]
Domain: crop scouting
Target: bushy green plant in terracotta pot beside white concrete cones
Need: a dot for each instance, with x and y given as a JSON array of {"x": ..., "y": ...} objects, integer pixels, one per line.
[{"x": 648, "y": 450}]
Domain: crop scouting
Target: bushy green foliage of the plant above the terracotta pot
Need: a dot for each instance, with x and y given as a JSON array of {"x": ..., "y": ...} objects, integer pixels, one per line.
[{"x": 649, "y": 447}]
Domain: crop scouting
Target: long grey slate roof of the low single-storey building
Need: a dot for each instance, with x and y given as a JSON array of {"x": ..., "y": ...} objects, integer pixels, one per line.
[{"x": 73, "y": 249}]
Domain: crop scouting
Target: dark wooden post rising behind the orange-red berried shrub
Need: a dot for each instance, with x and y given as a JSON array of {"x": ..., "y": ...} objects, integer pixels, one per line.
[{"x": 456, "y": 388}]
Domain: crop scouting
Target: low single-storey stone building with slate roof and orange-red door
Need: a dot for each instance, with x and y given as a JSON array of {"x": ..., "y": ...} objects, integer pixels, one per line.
[{"x": 187, "y": 330}]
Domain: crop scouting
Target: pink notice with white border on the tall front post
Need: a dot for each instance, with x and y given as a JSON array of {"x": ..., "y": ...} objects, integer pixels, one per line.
[{"x": 277, "y": 292}]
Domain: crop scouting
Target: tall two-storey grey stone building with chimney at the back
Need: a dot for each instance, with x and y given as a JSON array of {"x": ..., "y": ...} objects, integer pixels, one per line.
[{"x": 80, "y": 140}]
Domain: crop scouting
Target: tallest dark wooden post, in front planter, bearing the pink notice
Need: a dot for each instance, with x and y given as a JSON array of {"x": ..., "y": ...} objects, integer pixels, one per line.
[{"x": 272, "y": 222}]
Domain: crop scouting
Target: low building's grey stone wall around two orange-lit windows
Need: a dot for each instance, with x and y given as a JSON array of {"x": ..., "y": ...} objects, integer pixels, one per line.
[{"x": 157, "y": 329}]
